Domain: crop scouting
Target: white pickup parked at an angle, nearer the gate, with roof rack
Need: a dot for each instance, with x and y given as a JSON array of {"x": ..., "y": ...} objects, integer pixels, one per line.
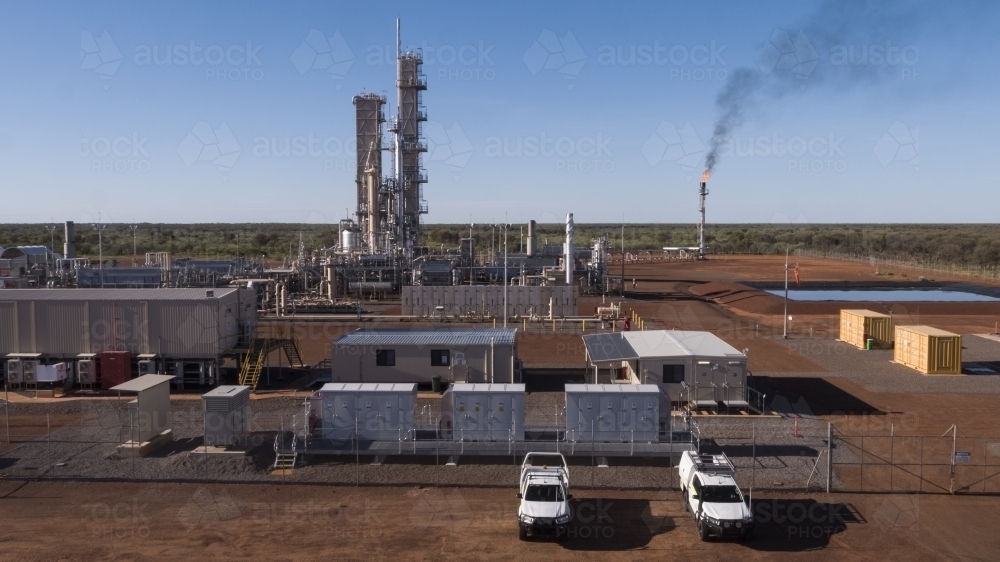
[{"x": 710, "y": 493}]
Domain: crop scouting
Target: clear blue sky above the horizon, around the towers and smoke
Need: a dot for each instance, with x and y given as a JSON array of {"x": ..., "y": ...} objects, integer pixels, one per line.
[{"x": 534, "y": 111}]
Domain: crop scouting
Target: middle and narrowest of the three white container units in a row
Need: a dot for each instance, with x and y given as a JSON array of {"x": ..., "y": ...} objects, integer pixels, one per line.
[{"x": 484, "y": 412}]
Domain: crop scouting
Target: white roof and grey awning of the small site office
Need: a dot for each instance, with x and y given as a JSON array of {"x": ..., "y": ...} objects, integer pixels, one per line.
[{"x": 626, "y": 346}]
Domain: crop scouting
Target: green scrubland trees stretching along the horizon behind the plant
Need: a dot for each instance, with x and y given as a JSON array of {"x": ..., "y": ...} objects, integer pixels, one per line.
[{"x": 954, "y": 244}]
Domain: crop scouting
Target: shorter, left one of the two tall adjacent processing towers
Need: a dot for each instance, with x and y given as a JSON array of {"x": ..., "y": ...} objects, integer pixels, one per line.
[{"x": 372, "y": 206}]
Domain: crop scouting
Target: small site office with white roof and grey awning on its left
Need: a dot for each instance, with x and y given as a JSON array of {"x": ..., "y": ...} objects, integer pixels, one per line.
[{"x": 696, "y": 368}]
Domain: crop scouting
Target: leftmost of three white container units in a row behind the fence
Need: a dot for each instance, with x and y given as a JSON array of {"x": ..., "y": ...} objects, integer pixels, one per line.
[{"x": 377, "y": 412}]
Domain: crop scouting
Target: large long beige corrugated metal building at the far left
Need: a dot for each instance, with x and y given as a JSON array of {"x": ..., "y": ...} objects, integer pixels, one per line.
[{"x": 168, "y": 323}]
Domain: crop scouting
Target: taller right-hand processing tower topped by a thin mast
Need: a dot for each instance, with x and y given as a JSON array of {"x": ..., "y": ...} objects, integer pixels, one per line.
[{"x": 409, "y": 144}]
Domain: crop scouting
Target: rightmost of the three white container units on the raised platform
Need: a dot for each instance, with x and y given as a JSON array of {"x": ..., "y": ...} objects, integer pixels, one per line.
[{"x": 613, "y": 412}]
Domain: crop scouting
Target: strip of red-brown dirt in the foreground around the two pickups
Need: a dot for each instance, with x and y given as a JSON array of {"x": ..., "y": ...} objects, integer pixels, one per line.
[{"x": 96, "y": 521}]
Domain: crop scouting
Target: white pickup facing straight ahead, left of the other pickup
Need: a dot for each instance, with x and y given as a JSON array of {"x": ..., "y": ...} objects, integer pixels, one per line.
[{"x": 544, "y": 494}]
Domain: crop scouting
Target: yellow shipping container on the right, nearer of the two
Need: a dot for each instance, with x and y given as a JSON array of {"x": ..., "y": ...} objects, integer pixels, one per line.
[{"x": 928, "y": 350}]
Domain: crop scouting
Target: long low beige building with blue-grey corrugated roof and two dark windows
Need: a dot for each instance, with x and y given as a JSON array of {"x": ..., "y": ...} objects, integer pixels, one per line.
[{"x": 476, "y": 355}]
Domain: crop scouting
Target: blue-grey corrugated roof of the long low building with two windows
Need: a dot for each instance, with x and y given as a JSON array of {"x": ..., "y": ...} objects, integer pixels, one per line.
[{"x": 446, "y": 336}]
